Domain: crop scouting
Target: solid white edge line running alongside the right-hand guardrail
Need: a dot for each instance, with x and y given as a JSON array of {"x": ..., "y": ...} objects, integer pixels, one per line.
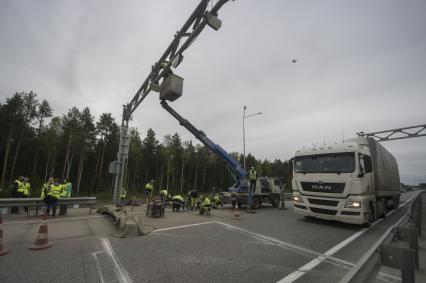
[{"x": 313, "y": 263}]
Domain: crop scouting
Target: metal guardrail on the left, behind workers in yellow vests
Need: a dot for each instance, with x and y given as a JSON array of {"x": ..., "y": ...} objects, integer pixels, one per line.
[{"x": 38, "y": 202}]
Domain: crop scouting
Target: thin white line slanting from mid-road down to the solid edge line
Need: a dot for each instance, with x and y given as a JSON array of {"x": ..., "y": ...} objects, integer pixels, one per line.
[{"x": 267, "y": 239}]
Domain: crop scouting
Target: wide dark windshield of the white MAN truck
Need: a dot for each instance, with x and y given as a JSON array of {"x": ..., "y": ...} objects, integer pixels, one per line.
[{"x": 325, "y": 163}]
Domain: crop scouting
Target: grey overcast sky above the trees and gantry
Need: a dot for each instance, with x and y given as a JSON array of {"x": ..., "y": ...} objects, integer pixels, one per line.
[{"x": 361, "y": 66}]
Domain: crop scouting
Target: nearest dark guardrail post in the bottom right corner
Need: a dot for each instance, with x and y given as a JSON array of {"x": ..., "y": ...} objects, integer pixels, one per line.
[{"x": 400, "y": 258}]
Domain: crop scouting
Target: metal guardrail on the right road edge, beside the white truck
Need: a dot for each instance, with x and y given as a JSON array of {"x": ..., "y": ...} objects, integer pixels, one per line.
[{"x": 397, "y": 248}]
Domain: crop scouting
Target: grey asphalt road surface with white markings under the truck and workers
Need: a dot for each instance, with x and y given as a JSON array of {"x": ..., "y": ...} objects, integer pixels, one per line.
[{"x": 269, "y": 246}]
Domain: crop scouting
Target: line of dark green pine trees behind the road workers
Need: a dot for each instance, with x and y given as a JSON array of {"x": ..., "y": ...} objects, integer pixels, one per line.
[{"x": 79, "y": 147}]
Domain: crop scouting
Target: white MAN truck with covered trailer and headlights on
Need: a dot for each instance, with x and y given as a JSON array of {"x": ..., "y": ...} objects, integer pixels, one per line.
[{"x": 352, "y": 182}]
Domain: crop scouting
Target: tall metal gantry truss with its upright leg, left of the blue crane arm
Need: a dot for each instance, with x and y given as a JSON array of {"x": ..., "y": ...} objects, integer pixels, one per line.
[{"x": 171, "y": 58}]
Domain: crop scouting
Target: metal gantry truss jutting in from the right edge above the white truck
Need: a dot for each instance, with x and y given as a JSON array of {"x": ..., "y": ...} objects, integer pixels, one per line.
[{"x": 397, "y": 134}]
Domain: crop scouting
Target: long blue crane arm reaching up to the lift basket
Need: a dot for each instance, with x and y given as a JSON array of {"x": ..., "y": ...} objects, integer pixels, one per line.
[{"x": 237, "y": 171}]
